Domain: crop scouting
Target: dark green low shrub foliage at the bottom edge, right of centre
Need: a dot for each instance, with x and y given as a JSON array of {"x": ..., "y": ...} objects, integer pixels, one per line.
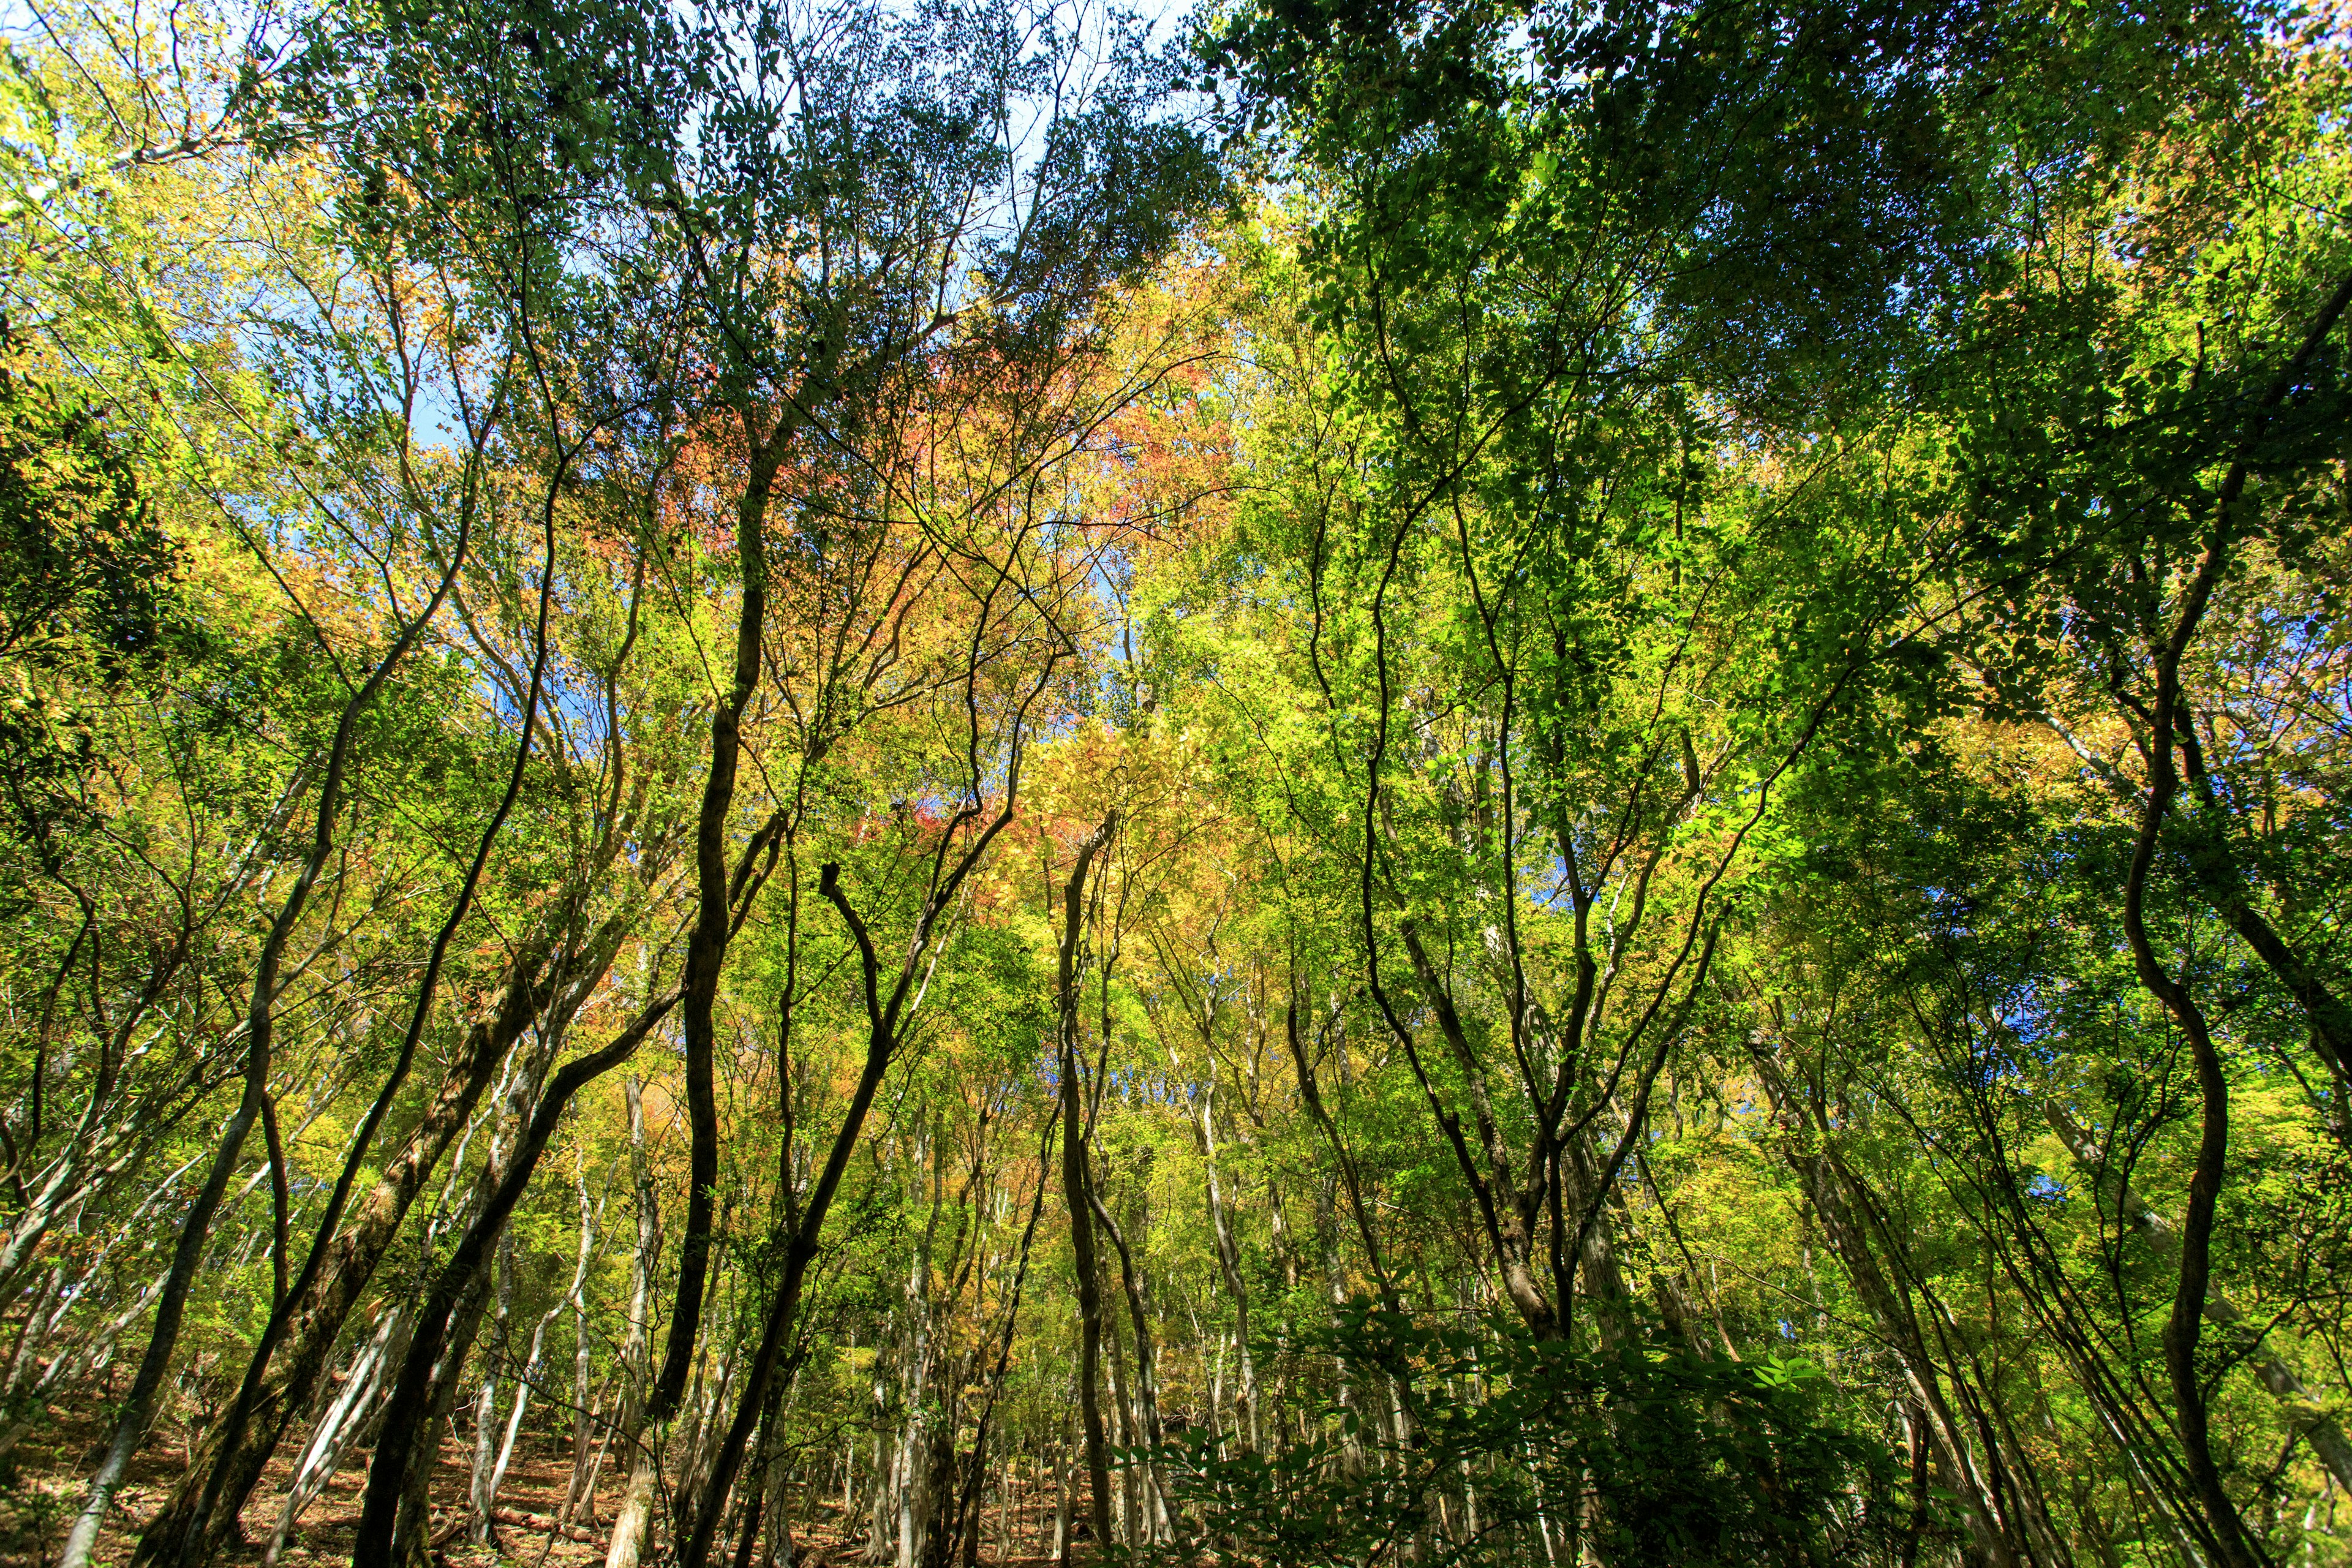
[{"x": 1641, "y": 1454}]
